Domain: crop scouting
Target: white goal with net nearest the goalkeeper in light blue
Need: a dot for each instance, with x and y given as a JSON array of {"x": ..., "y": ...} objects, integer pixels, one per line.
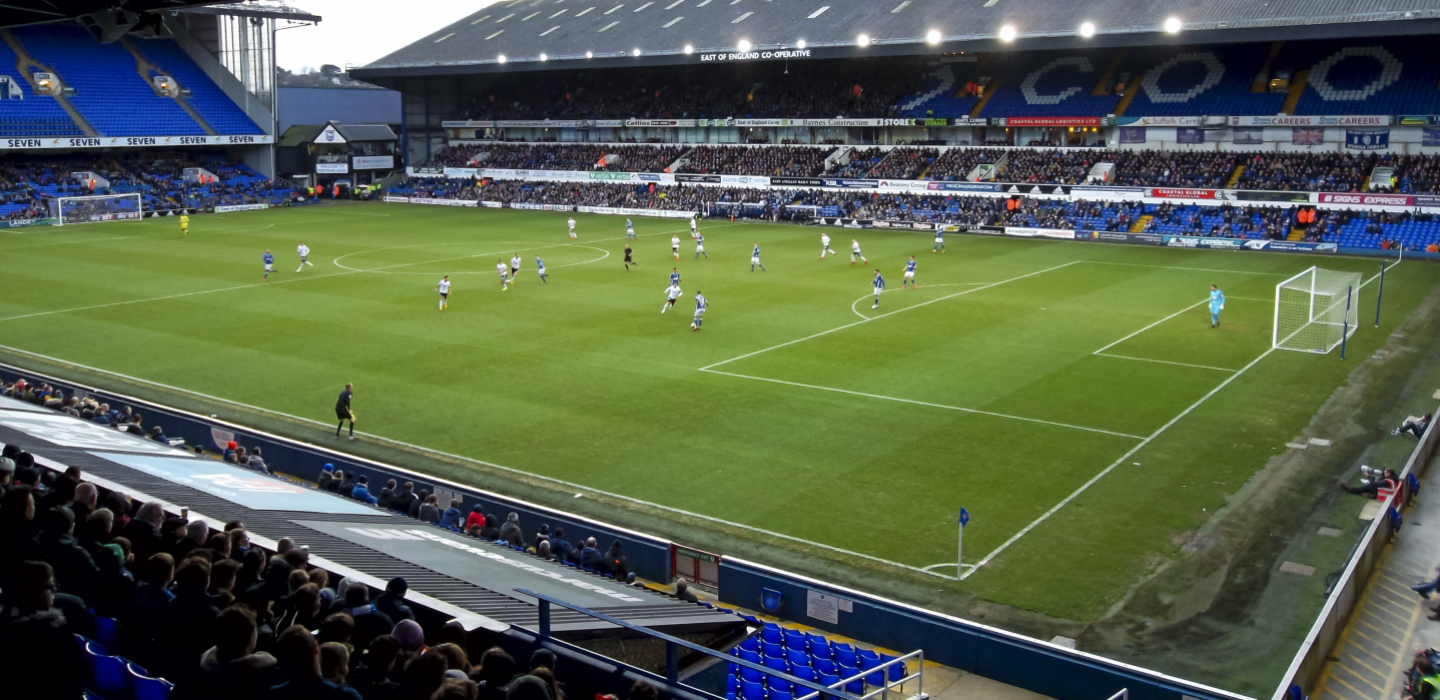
[{"x": 1315, "y": 310}]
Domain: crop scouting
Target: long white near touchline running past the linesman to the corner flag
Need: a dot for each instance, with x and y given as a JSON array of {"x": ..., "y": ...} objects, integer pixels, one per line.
[{"x": 512, "y": 470}]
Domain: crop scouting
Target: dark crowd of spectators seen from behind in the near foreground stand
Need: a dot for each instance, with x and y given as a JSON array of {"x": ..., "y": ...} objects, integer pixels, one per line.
[{"x": 225, "y": 619}]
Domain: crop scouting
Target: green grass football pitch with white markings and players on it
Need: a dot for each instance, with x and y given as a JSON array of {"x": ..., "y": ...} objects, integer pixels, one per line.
[{"x": 1071, "y": 395}]
